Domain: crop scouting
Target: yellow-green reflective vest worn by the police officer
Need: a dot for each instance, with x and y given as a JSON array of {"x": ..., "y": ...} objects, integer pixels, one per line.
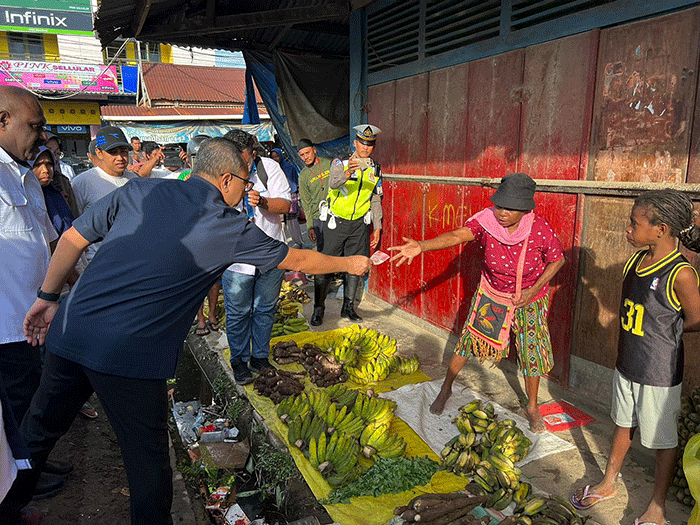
[{"x": 352, "y": 200}]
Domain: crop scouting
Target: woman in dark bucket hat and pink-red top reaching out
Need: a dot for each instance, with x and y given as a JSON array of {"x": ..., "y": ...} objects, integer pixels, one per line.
[{"x": 521, "y": 255}]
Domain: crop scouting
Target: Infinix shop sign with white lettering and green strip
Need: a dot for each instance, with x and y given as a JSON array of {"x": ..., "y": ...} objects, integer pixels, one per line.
[{"x": 24, "y": 18}]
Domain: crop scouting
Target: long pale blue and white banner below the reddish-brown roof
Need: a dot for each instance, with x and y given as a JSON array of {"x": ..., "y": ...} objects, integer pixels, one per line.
[{"x": 182, "y": 132}]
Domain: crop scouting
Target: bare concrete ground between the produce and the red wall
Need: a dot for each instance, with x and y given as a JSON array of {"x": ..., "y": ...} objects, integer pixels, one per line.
[{"x": 559, "y": 473}]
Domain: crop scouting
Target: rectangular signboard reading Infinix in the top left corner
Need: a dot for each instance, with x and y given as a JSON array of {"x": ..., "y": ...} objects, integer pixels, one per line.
[{"x": 48, "y": 16}]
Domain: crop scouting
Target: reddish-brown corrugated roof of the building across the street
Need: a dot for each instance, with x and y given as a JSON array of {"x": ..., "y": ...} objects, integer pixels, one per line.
[{"x": 195, "y": 84}]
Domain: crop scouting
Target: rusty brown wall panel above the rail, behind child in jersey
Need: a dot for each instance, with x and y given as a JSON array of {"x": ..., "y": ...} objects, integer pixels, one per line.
[{"x": 647, "y": 72}]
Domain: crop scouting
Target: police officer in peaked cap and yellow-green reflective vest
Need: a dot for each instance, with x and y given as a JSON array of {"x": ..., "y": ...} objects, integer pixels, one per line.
[{"x": 354, "y": 201}]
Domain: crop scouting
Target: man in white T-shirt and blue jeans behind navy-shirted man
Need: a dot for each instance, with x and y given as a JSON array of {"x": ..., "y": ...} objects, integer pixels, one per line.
[{"x": 250, "y": 297}]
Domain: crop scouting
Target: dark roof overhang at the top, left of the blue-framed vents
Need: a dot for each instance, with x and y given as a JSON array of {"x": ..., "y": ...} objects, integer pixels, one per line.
[{"x": 305, "y": 26}]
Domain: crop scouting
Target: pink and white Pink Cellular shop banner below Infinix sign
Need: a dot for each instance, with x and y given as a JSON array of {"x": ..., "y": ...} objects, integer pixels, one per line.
[{"x": 59, "y": 76}]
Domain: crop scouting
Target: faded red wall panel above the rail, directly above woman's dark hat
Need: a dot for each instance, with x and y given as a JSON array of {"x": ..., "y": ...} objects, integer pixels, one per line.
[{"x": 493, "y": 115}]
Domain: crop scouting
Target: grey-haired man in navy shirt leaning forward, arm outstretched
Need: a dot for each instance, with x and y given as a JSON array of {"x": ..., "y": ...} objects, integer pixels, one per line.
[{"x": 119, "y": 332}]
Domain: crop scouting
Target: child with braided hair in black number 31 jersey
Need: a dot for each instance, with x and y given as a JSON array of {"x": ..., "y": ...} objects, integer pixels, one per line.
[{"x": 660, "y": 301}]
